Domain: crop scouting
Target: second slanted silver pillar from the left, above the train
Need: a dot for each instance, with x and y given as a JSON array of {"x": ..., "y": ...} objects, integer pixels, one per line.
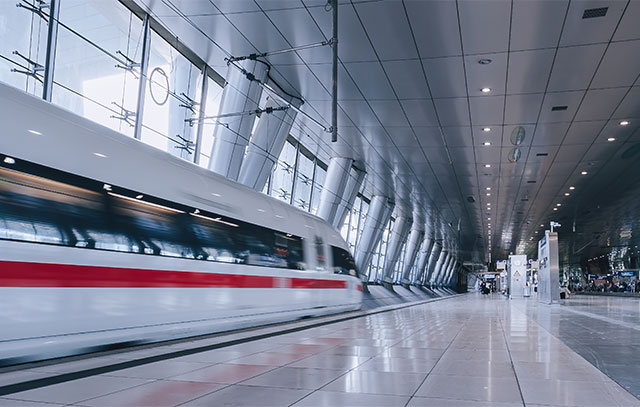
[{"x": 266, "y": 145}]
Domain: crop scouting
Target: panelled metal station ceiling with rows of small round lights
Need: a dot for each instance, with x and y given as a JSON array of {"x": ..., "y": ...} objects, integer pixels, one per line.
[{"x": 562, "y": 75}]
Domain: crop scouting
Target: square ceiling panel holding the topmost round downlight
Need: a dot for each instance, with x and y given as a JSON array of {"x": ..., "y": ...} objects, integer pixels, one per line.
[{"x": 490, "y": 76}]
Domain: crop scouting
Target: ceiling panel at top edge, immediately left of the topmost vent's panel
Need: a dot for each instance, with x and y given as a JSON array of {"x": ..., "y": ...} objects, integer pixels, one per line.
[{"x": 536, "y": 24}]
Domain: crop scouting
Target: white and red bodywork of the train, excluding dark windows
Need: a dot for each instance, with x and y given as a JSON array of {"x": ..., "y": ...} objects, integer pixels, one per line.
[{"x": 59, "y": 319}]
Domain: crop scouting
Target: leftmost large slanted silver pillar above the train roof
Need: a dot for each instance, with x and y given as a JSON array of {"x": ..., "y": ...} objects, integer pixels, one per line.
[{"x": 230, "y": 140}]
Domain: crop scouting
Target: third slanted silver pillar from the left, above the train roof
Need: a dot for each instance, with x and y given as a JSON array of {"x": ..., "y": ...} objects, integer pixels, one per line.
[{"x": 334, "y": 187}]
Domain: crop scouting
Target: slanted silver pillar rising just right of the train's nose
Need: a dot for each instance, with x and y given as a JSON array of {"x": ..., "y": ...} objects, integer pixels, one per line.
[{"x": 378, "y": 216}]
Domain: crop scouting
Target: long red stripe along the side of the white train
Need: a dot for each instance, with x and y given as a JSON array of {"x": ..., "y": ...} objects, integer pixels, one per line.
[{"x": 23, "y": 274}]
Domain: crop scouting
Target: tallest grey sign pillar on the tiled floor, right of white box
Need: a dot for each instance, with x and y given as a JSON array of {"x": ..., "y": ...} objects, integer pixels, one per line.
[{"x": 548, "y": 269}]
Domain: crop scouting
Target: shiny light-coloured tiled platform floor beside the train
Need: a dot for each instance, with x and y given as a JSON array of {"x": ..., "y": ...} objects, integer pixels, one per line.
[{"x": 466, "y": 351}]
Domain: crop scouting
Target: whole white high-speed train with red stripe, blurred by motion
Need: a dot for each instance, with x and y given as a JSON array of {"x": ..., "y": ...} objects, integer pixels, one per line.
[{"x": 105, "y": 240}]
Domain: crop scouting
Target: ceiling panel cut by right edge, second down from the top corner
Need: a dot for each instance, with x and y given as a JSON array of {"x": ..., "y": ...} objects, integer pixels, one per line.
[{"x": 617, "y": 68}]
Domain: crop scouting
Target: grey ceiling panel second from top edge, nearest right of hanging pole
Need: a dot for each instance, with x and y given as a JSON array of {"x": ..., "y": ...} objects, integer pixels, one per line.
[{"x": 407, "y": 79}]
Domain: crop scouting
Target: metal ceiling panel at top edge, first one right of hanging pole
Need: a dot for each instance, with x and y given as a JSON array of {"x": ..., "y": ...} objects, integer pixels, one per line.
[{"x": 390, "y": 40}]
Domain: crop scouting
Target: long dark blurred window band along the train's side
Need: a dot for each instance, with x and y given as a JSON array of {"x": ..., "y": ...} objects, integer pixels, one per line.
[{"x": 74, "y": 211}]
